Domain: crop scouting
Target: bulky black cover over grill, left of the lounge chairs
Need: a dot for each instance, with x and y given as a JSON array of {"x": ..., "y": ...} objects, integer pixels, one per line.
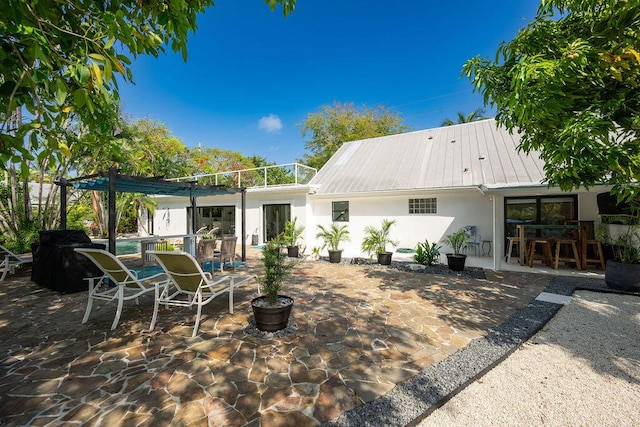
[{"x": 56, "y": 265}]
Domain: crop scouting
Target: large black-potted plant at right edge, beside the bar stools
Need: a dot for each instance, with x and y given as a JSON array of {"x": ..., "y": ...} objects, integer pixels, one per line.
[{"x": 623, "y": 240}]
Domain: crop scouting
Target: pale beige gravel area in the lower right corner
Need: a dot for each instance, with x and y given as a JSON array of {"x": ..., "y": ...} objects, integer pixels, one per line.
[{"x": 583, "y": 368}]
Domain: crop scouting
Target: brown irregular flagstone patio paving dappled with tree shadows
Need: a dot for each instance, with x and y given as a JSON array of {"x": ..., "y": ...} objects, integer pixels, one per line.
[{"x": 360, "y": 332}]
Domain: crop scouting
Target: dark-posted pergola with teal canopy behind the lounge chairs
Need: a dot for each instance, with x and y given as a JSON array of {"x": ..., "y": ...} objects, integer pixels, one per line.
[{"x": 113, "y": 182}]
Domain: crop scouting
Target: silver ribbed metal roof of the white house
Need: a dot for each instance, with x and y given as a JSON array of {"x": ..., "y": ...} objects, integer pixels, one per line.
[{"x": 466, "y": 155}]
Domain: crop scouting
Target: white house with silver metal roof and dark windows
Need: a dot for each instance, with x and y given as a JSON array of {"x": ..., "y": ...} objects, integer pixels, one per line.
[{"x": 432, "y": 182}]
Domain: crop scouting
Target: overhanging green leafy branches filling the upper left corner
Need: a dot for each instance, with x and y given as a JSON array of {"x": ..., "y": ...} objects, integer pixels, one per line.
[{"x": 62, "y": 58}]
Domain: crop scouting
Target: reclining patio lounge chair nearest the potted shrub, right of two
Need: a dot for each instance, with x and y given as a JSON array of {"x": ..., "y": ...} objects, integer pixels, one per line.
[{"x": 189, "y": 285}]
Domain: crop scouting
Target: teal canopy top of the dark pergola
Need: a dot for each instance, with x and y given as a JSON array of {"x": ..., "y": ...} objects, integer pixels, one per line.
[{"x": 152, "y": 186}]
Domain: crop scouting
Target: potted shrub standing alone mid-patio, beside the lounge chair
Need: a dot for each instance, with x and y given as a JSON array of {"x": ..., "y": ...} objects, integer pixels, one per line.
[{"x": 272, "y": 310}]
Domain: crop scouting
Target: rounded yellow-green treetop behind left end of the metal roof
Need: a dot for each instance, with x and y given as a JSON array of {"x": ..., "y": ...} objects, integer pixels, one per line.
[{"x": 341, "y": 123}]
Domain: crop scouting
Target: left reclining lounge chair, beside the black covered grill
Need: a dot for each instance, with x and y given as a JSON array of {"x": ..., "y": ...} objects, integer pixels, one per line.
[{"x": 118, "y": 283}]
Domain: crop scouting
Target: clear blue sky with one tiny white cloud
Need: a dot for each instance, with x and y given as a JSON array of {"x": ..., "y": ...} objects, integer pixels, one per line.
[{"x": 253, "y": 76}]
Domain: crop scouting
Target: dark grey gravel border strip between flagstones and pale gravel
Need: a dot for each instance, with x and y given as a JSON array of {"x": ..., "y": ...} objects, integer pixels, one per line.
[{"x": 415, "y": 399}]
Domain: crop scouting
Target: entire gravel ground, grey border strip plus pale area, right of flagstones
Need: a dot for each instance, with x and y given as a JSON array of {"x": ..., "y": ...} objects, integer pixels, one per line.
[{"x": 583, "y": 368}]
